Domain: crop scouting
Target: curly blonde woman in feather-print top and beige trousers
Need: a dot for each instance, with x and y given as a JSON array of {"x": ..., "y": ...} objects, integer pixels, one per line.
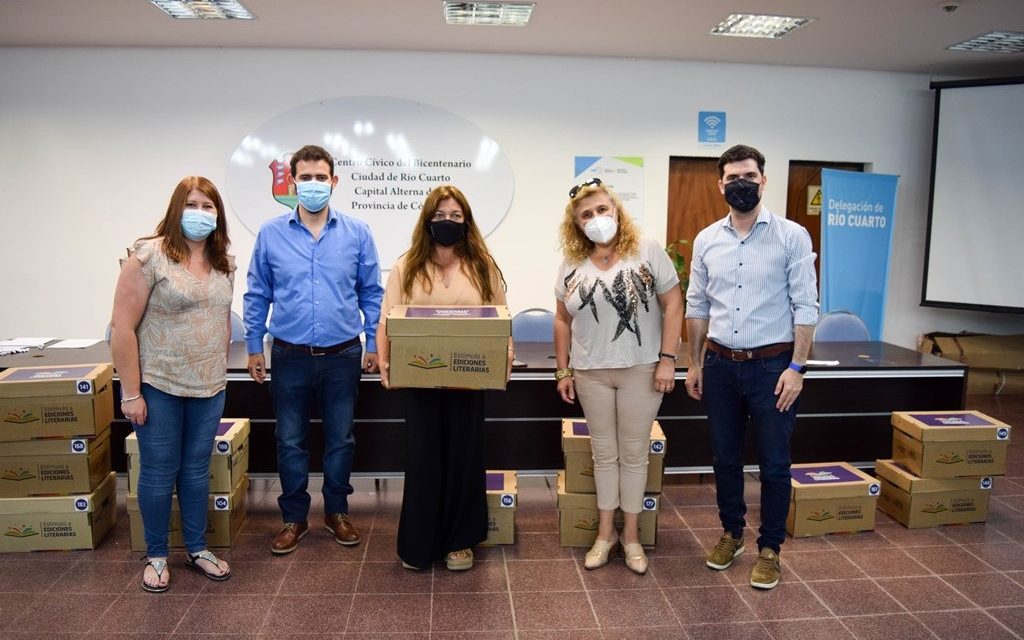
[{"x": 618, "y": 320}]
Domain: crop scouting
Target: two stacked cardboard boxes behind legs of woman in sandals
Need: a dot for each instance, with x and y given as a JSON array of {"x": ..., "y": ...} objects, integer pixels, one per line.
[{"x": 229, "y": 488}]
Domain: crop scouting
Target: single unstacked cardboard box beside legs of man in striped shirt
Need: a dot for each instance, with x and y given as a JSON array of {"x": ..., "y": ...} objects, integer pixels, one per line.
[{"x": 831, "y": 498}]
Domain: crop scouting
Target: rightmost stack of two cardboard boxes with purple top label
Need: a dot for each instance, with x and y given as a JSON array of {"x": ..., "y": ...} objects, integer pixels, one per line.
[{"x": 943, "y": 468}]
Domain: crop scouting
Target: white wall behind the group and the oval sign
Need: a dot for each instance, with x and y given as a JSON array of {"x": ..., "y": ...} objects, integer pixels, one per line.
[{"x": 95, "y": 140}]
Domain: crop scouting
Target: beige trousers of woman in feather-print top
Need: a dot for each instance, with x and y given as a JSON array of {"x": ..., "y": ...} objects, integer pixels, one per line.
[{"x": 620, "y": 406}]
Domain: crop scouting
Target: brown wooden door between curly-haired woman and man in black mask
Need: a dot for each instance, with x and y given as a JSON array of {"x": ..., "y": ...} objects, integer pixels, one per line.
[{"x": 695, "y": 202}]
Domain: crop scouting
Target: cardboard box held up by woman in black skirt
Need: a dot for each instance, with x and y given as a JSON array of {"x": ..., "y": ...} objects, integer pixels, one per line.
[{"x": 463, "y": 348}]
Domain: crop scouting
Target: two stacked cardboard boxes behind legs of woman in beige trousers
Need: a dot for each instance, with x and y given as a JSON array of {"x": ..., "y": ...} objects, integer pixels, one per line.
[{"x": 578, "y": 514}]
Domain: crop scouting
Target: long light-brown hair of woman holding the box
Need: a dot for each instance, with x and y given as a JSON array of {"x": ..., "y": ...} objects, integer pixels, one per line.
[{"x": 477, "y": 261}]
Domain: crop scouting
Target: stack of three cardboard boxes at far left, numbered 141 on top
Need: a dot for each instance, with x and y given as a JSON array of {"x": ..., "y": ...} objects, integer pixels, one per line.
[{"x": 57, "y": 488}]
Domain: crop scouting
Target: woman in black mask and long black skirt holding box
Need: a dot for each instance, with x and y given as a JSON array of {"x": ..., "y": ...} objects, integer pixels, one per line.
[{"x": 444, "y": 508}]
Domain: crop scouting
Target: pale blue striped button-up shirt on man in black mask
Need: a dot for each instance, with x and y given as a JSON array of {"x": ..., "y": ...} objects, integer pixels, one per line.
[{"x": 753, "y": 290}]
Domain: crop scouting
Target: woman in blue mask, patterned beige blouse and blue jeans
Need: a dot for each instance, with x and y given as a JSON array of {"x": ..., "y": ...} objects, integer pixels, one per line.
[{"x": 169, "y": 337}]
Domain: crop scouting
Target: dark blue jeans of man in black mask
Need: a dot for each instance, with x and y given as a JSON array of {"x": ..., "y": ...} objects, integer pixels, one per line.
[{"x": 735, "y": 393}]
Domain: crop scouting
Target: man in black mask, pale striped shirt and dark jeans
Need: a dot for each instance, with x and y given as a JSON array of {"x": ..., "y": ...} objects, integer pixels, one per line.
[{"x": 752, "y": 307}]
